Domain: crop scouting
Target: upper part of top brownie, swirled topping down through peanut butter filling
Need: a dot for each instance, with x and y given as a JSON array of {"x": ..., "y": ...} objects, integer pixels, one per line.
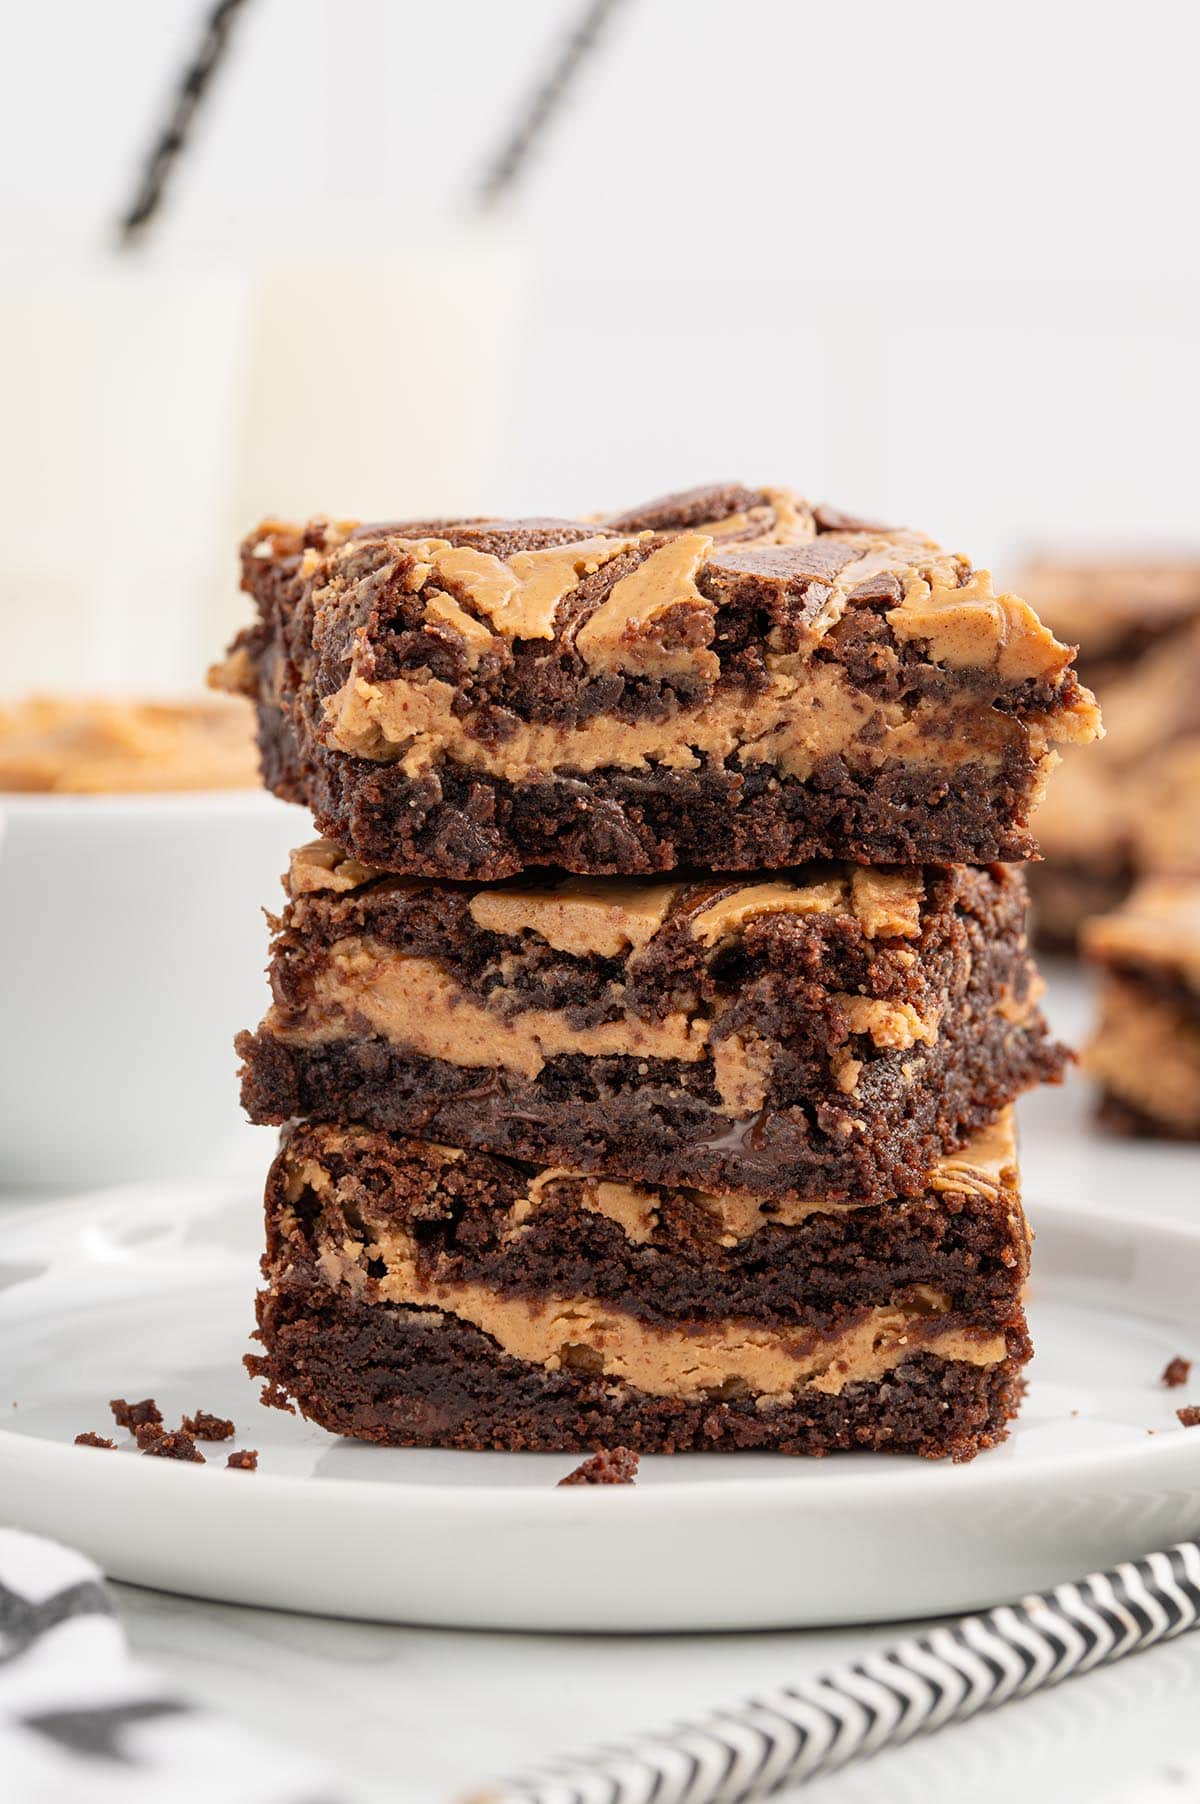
[{"x": 642, "y": 600}]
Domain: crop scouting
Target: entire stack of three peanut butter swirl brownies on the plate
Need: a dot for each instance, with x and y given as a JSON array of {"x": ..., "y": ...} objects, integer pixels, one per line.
[{"x": 649, "y": 1022}]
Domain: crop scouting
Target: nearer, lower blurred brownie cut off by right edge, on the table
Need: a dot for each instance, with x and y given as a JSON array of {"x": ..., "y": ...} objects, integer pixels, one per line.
[{"x": 1145, "y": 1053}]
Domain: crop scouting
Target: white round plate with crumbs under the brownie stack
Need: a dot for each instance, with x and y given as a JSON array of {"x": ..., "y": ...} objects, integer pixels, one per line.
[{"x": 147, "y": 1293}]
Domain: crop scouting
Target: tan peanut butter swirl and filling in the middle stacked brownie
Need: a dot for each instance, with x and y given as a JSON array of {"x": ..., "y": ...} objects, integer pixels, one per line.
[{"x": 362, "y": 986}]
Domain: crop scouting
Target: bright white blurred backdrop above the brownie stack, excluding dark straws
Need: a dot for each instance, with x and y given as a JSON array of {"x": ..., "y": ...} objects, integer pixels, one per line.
[{"x": 934, "y": 261}]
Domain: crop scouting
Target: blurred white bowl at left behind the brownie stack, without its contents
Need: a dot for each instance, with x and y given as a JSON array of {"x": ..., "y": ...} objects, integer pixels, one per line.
[{"x": 133, "y": 950}]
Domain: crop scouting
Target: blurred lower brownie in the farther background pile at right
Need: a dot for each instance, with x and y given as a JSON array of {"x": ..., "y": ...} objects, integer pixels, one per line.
[{"x": 1132, "y": 805}]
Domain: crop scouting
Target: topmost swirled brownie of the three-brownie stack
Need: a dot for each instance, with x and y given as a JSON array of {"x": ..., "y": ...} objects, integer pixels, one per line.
[{"x": 730, "y": 677}]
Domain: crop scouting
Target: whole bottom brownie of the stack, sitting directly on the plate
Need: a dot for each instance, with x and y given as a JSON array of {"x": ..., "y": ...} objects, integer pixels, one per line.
[{"x": 429, "y": 1296}]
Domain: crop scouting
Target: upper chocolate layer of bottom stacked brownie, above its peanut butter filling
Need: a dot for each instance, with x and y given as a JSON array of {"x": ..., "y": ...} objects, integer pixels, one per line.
[{"x": 374, "y": 1210}]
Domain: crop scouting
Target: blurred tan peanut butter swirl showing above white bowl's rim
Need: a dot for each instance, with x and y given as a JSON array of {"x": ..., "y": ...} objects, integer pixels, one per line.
[{"x": 89, "y": 746}]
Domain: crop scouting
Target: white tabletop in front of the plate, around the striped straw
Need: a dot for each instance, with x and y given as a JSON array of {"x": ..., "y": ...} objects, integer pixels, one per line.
[{"x": 427, "y": 1717}]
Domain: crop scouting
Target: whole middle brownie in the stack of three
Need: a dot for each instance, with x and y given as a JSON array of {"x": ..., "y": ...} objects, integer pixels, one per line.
[{"x": 824, "y": 1033}]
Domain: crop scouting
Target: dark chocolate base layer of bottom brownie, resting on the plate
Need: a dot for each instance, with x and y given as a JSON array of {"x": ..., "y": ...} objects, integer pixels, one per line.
[{"x": 423, "y": 1379}]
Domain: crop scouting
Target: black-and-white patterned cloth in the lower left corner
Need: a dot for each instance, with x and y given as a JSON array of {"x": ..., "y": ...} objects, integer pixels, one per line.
[{"x": 84, "y": 1724}]
